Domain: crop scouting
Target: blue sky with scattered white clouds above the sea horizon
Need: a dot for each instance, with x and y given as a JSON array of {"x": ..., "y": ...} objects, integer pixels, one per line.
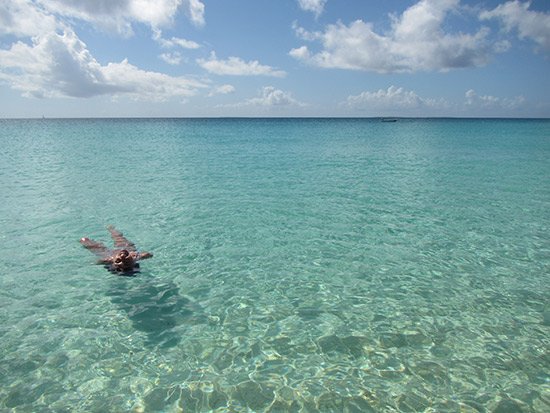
[{"x": 186, "y": 58}]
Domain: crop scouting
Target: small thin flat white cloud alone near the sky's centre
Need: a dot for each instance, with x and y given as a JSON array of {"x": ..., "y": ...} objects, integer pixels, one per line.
[{"x": 235, "y": 66}]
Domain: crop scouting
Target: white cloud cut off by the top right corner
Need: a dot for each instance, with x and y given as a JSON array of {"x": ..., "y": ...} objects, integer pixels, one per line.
[{"x": 529, "y": 24}]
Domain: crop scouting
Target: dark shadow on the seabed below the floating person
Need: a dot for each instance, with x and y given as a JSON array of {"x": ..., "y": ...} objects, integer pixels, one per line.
[{"x": 155, "y": 308}]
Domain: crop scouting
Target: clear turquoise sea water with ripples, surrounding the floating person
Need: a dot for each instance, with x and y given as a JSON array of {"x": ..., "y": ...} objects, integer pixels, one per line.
[{"x": 300, "y": 265}]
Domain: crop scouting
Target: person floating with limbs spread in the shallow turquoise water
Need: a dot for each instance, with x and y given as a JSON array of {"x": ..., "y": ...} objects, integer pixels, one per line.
[{"x": 123, "y": 259}]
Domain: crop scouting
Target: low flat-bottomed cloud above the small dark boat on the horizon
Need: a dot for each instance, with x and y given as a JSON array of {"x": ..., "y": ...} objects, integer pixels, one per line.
[{"x": 391, "y": 98}]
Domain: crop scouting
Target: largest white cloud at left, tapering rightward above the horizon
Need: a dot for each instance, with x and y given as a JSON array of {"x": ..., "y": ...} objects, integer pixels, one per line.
[{"x": 60, "y": 65}]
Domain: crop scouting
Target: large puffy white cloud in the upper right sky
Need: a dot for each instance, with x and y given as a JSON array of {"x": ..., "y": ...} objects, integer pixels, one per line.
[{"x": 417, "y": 41}]
